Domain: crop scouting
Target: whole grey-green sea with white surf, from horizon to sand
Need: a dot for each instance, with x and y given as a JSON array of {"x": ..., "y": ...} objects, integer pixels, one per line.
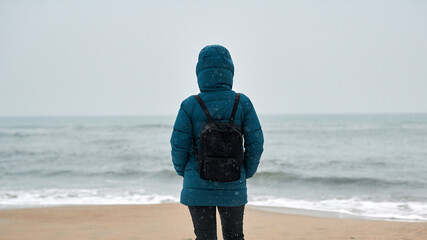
[{"x": 367, "y": 165}]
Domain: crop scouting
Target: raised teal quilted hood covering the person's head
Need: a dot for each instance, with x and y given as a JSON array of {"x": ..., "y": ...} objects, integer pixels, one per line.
[{"x": 215, "y": 69}]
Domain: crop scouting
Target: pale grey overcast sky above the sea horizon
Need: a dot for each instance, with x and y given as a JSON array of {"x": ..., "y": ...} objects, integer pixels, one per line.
[{"x": 138, "y": 57}]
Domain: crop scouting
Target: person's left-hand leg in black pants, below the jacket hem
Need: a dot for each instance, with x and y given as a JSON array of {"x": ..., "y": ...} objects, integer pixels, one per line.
[{"x": 204, "y": 222}]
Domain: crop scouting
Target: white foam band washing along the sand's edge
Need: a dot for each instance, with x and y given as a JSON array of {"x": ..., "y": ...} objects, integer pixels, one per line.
[{"x": 407, "y": 211}]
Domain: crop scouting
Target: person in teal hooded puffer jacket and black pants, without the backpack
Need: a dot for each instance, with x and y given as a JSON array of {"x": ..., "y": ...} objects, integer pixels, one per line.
[{"x": 215, "y": 71}]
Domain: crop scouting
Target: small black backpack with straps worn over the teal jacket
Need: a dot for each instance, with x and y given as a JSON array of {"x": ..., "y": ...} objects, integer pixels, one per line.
[{"x": 220, "y": 156}]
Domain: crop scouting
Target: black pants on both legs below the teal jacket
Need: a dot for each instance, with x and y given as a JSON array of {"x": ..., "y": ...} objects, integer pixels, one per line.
[{"x": 204, "y": 221}]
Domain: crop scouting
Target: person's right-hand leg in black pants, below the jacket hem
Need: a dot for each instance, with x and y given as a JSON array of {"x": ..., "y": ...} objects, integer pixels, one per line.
[{"x": 232, "y": 222}]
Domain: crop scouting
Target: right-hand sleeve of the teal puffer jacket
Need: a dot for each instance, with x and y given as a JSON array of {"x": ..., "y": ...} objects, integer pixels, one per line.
[{"x": 254, "y": 139}]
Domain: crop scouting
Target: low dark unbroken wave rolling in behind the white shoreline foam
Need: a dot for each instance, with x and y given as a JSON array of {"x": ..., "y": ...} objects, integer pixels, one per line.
[{"x": 264, "y": 178}]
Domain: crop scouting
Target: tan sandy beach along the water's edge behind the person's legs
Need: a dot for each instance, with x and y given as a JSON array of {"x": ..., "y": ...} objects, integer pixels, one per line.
[{"x": 172, "y": 221}]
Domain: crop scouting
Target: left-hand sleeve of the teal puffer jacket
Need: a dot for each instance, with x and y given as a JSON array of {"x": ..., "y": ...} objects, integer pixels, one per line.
[{"x": 181, "y": 141}]
